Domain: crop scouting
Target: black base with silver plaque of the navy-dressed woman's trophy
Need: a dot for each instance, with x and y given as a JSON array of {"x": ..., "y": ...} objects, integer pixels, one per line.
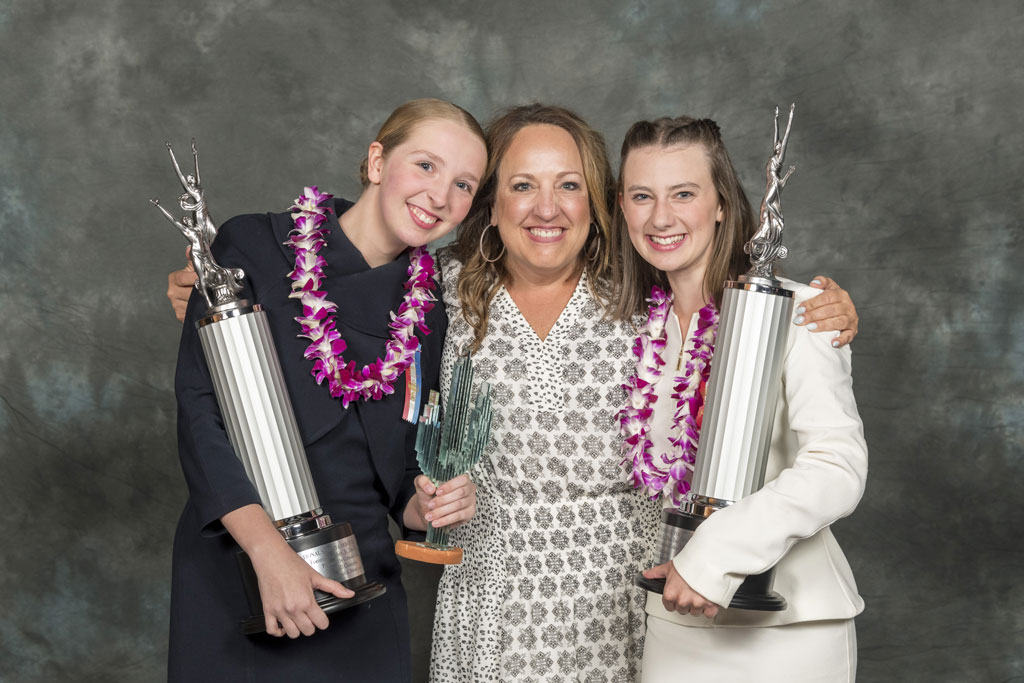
[{"x": 330, "y": 550}]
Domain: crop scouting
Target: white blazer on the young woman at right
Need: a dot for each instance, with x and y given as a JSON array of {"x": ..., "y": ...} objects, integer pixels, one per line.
[{"x": 817, "y": 469}]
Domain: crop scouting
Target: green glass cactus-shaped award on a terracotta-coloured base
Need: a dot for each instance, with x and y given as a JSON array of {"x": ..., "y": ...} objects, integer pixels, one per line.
[{"x": 447, "y": 448}]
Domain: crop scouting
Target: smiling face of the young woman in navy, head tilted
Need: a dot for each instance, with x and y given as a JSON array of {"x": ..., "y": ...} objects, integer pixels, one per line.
[{"x": 426, "y": 184}]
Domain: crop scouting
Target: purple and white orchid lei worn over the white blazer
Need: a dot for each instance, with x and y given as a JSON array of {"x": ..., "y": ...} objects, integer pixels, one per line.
[{"x": 673, "y": 475}]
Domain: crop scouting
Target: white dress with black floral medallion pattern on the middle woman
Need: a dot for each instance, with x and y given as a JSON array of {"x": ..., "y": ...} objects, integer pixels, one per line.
[{"x": 545, "y": 591}]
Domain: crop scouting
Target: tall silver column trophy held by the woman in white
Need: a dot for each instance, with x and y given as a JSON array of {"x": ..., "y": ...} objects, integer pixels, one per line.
[{"x": 743, "y": 392}]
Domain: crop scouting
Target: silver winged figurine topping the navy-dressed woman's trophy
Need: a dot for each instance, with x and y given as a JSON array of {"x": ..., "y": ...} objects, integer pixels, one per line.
[{"x": 219, "y": 286}]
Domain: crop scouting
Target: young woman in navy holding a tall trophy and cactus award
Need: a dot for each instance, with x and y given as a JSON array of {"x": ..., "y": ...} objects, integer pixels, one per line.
[{"x": 419, "y": 179}]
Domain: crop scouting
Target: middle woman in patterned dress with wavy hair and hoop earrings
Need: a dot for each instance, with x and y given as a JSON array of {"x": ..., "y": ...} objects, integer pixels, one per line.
[{"x": 545, "y": 591}]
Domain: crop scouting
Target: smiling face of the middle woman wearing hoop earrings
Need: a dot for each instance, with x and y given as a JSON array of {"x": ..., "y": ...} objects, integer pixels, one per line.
[{"x": 542, "y": 206}]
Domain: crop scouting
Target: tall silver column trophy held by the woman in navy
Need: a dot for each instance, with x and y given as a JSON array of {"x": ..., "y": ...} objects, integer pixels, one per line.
[{"x": 260, "y": 419}]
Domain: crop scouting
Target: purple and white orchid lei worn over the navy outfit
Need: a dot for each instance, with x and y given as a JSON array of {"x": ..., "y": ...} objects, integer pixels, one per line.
[{"x": 346, "y": 381}]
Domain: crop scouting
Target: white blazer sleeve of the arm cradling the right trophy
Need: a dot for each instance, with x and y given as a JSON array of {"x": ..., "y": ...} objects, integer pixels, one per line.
[{"x": 823, "y": 483}]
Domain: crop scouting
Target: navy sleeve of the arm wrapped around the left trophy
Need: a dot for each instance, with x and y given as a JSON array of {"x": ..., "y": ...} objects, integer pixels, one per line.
[{"x": 217, "y": 479}]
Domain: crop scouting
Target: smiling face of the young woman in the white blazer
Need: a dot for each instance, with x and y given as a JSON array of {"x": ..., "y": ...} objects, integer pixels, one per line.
[{"x": 671, "y": 208}]
